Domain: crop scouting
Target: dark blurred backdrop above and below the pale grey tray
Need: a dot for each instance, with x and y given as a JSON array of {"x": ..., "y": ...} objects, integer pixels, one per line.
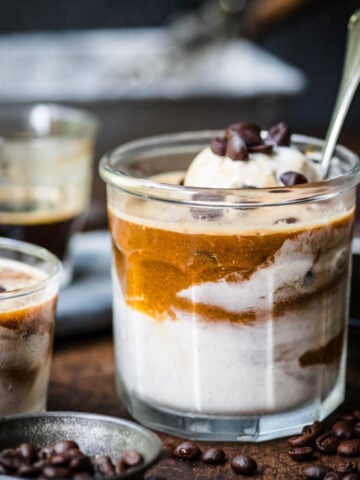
[{"x": 307, "y": 34}]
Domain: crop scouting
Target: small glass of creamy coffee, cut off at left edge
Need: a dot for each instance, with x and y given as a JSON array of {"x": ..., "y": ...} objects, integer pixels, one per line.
[{"x": 29, "y": 284}]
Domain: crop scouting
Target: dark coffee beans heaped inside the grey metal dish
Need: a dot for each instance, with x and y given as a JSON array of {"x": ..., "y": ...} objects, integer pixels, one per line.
[{"x": 62, "y": 460}]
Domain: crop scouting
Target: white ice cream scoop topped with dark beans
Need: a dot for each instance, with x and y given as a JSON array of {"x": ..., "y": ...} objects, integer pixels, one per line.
[{"x": 243, "y": 159}]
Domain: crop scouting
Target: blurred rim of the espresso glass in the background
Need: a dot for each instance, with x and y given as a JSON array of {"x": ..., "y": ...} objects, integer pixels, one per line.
[{"x": 85, "y": 122}]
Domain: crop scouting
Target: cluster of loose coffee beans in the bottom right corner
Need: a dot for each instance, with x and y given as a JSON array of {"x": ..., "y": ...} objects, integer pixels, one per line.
[{"x": 342, "y": 439}]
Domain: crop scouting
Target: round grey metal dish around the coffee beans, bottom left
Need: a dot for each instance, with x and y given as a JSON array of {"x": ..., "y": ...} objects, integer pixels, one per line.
[{"x": 95, "y": 434}]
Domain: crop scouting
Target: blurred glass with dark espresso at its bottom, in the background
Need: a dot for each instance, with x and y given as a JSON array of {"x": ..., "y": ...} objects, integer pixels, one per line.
[{"x": 45, "y": 175}]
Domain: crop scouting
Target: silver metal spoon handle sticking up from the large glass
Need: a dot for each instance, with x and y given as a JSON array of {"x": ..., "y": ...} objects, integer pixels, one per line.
[{"x": 349, "y": 83}]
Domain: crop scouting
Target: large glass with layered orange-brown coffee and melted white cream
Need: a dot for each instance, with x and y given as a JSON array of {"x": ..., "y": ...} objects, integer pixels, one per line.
[{"x": 230, "y": 305}]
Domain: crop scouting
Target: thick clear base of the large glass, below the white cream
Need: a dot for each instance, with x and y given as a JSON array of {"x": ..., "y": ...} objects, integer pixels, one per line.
[{"x": 247, "y": 428}]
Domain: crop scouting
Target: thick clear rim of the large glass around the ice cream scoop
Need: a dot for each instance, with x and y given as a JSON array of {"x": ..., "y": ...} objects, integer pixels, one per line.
[{"x": 221, "y": 197}]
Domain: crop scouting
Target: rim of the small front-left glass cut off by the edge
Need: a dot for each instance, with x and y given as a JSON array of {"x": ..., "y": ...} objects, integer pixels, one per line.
[{"x": 40, "y": 253}]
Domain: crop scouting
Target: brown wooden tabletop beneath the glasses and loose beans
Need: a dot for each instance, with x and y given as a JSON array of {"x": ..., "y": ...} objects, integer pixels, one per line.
[{"x": 82, "y": 379}]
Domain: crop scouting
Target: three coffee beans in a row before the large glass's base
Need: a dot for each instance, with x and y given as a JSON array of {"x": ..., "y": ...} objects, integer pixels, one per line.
[{"x": 241, "y": 464}]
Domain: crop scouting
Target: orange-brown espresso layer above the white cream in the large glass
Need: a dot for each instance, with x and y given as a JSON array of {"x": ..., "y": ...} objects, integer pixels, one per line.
[{"x": 162, "y": 265}]
